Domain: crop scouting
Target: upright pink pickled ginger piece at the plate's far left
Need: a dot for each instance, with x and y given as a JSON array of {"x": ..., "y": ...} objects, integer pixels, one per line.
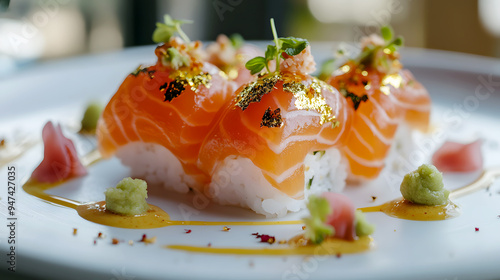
[{"x": 60, "y": 160}]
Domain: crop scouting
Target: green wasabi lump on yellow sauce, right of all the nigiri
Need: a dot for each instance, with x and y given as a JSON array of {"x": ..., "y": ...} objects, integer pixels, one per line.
[{"x": 425, "y": 186}]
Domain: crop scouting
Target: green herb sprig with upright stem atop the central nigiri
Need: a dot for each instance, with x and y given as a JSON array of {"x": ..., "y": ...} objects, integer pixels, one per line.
[{"x": 289, "y": 45}]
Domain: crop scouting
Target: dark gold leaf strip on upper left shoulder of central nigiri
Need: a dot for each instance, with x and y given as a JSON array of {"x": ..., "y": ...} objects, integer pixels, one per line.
[{"x": 254, "y": 91}]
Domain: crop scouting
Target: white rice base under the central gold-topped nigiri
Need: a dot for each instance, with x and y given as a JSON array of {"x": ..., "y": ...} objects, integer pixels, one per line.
[{"x": 237, "y": 181}]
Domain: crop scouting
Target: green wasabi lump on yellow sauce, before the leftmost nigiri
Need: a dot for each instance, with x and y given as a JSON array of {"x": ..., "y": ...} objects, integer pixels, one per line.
[{"x": 128, "y": 197}]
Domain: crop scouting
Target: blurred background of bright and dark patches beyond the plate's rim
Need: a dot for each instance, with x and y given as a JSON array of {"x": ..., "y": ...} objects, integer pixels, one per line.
[{"x": 52, "y": 29}]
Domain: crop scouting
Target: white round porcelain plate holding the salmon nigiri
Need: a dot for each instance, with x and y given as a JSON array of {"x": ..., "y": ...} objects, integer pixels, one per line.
[{"x": 466, "y": 96}]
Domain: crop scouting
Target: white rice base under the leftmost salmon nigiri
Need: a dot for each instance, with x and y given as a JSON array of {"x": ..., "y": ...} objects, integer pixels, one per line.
[{"x": 155, "y": 164}]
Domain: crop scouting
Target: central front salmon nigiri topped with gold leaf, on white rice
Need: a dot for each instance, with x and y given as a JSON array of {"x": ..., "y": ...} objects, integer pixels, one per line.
[{"x": 258, "y": 153}]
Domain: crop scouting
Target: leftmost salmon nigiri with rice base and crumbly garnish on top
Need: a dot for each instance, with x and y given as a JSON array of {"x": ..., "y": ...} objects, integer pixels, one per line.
[{"x": 163, "y": 112}]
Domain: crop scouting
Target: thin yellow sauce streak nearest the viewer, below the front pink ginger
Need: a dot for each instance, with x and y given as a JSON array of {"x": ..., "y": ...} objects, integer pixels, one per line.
[{"x": 331, "y": 246}]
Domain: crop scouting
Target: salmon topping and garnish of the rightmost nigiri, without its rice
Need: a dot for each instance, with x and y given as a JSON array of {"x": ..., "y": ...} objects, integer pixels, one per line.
[{"x": 384, "y": 96}]
